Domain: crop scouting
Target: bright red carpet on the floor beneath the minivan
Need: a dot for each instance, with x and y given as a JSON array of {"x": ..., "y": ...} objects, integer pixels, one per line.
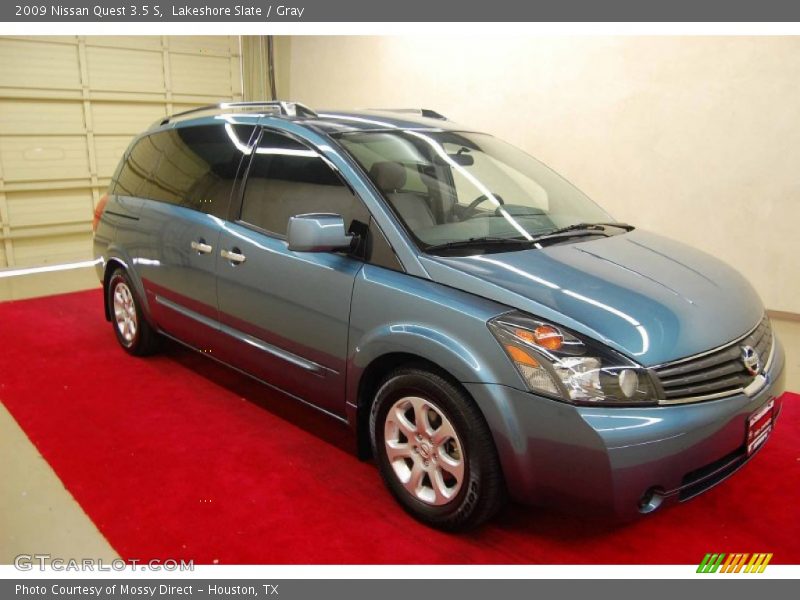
[{"x": 176, "y": 457}]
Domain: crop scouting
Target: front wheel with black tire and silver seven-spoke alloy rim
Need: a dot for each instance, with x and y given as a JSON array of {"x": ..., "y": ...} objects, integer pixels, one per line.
[{"x": 434, "y": 450}]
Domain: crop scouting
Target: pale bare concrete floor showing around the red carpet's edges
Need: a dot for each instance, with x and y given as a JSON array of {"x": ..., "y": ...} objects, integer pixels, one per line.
[{"x": 38, "y": 515}]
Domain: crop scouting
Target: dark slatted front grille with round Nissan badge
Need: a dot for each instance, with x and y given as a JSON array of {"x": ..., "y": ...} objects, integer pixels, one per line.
[{"x": 716, "y": 373}]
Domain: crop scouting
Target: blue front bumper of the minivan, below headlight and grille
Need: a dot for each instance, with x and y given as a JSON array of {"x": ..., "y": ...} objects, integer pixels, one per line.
[{"x": 555, "y": 453}]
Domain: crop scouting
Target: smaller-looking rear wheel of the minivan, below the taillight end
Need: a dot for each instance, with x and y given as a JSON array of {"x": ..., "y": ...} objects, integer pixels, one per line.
[{"x": 134, "y": 333}]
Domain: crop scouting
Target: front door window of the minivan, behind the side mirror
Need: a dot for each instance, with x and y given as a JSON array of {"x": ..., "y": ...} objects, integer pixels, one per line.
[{"x": 286, "y": 179}]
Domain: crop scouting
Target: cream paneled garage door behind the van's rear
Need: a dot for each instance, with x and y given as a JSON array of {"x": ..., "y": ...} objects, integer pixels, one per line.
[{"x": 68, "y": 108}]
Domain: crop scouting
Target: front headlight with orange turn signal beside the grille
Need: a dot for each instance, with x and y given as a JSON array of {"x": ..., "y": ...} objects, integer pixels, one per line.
[{"x": 563, "y": 365}]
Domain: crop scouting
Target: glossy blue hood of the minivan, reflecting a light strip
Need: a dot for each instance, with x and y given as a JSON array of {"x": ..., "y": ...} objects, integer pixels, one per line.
[{"x": 649, "y": 297}]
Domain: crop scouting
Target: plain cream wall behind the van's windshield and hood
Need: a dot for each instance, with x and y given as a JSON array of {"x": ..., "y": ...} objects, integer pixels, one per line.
[{"x": 696, "y": 138}]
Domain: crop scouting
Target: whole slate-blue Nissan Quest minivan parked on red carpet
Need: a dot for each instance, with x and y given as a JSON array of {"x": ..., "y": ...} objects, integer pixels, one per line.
[{"x": 485, "y": 329}]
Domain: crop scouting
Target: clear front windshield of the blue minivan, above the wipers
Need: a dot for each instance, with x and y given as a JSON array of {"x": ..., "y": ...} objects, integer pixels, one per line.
[{"x": 453, "y": 187}]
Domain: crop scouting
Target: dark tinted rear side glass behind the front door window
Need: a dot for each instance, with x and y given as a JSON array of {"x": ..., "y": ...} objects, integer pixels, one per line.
[{"x": 191, "y": 166}]
